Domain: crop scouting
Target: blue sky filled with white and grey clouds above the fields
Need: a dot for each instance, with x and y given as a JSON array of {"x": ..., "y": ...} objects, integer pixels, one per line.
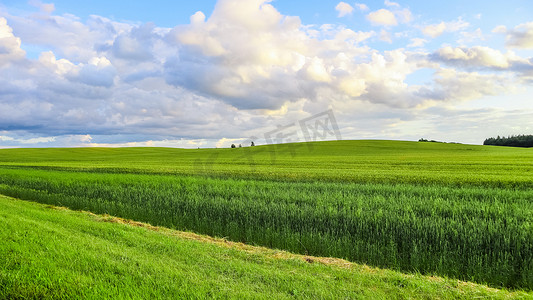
[{"x": 211, "y": 73}]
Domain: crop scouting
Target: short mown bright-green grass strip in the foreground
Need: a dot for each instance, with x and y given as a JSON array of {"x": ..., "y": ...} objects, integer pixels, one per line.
[{"x": 49, "y": 252}]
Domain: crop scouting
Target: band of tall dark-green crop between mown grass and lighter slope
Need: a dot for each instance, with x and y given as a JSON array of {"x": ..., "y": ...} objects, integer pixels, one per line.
[{"x": 473, "y": 233}]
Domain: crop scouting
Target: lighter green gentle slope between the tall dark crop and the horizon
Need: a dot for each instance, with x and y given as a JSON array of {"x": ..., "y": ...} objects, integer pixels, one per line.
[{"x": 355, "y": 161}]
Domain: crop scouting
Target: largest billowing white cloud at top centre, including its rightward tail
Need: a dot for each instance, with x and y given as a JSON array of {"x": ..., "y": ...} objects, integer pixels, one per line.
[{"x": 281, "y": 63}]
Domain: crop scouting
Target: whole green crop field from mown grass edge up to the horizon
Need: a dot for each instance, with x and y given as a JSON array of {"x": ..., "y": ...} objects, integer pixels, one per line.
[{"x": 461, "y": 211}]
